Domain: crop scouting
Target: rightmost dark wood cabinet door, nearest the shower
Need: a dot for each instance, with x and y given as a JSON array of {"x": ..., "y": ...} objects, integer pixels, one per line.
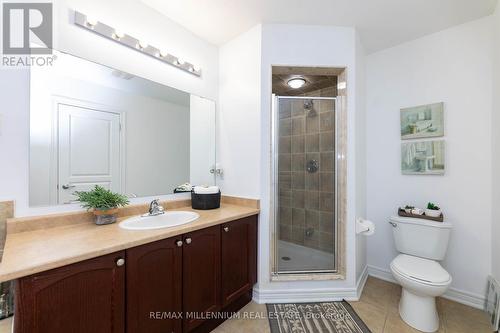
[{"x": 239, "y": 258}]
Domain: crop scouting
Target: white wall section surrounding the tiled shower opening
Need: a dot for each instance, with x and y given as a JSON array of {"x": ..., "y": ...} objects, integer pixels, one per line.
[{"x": 300, "y": 45}]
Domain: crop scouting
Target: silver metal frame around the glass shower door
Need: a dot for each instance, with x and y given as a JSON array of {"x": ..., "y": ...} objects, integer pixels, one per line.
[{"x": 277, "y": 275}]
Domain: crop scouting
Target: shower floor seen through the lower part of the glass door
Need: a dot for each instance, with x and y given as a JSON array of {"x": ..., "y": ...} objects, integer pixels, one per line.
[{"x": 293, "y": 257}]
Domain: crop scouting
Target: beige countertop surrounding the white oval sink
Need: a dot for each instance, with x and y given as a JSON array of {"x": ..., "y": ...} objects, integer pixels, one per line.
[{"x": 33, "y": 251}]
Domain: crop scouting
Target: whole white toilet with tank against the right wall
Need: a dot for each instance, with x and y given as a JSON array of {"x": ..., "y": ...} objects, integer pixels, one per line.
[{"x": 421, "y": 243}]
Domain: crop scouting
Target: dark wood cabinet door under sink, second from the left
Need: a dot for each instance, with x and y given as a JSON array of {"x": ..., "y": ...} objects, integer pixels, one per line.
[{"x": 154, "y": 287}]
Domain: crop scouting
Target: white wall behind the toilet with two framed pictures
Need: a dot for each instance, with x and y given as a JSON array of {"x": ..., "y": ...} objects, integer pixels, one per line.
[{"x": 453, "y": 66}]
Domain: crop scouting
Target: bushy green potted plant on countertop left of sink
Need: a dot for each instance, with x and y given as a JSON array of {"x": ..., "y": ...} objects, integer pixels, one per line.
[{"x": 103, "y": 203}]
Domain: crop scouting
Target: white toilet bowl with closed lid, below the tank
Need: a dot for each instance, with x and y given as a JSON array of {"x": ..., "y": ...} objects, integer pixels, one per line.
[{"x": 422, "y": 280}]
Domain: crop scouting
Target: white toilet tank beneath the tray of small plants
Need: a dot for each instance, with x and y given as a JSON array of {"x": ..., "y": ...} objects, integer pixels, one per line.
[{"x": 421, "y": 238}]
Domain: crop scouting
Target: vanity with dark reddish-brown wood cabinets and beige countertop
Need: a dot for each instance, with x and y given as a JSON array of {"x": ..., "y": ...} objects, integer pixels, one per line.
[{"x": 181, "y": 279}]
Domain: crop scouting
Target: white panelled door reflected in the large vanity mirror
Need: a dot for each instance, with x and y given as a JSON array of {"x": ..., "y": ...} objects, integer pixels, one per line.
[{"x": 89, "y": 150}]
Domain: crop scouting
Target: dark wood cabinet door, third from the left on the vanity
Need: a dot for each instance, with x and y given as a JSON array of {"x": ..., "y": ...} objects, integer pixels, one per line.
[{"x": 201, "y": 276}]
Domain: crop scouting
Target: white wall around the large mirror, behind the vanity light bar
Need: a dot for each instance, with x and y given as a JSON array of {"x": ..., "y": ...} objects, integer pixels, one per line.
[{"x": 136, "y": 19}]
